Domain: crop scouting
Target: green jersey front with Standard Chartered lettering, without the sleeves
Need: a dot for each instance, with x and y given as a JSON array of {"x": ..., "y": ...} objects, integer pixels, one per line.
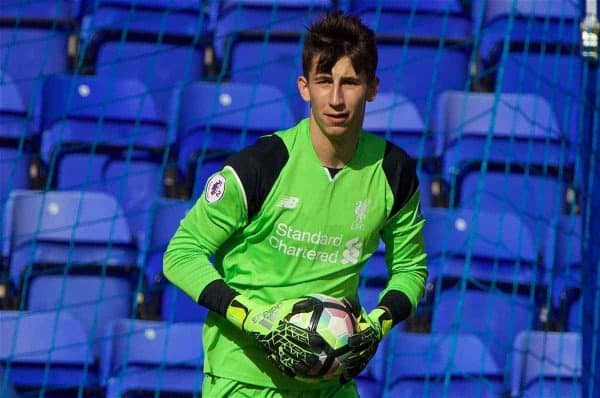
[{"x": 313, "y": 233}]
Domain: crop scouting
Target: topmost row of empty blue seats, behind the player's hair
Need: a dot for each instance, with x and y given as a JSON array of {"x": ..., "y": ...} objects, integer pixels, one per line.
[{"x": 165, "y": 43}]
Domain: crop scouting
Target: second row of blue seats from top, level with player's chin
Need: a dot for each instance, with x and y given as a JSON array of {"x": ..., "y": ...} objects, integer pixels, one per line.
[{"x": 111, "y": 134}]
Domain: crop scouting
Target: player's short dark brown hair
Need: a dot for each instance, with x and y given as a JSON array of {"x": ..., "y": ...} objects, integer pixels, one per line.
[{"x": 337, "y": 35}]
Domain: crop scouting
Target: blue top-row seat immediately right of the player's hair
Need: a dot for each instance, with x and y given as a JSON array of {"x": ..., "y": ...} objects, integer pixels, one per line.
[{"x": 424, "y": 46}]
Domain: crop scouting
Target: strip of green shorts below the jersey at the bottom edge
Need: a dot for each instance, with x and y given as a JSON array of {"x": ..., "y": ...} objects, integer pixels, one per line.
[{"x": 217, "y": 387}]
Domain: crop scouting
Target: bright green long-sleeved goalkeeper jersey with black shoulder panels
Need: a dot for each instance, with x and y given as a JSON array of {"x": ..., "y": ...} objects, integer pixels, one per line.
[{"x": 279, "y": 226}]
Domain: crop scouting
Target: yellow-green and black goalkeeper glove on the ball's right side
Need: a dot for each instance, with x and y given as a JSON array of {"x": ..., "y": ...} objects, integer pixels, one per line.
[{"x": 363, "y": 344}]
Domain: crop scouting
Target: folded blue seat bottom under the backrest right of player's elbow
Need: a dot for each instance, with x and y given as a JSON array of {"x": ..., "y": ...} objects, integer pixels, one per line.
[{"x": 494, "y": 316}]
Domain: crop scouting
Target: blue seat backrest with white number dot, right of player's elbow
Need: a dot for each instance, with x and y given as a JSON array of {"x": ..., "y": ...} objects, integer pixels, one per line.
[{"x": 485, "y": 246}]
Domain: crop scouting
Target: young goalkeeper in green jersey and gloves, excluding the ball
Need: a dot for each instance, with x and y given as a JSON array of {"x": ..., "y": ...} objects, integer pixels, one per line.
[{"x": 300, "y": 212}]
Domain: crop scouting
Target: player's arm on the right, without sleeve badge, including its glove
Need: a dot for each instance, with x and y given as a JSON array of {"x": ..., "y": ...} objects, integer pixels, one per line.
[{"x": 405, "y": 259}]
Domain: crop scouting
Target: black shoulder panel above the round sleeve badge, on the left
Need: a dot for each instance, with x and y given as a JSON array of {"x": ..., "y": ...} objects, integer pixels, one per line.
[{"x": 258, "y": 166}]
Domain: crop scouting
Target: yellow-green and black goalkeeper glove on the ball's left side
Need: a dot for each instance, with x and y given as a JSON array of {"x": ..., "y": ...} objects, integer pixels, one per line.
[{"x": 288, "y": 347}]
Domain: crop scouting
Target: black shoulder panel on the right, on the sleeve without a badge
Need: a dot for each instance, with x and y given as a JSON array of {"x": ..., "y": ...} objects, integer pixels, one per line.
[{"x": 401, "y": 172}]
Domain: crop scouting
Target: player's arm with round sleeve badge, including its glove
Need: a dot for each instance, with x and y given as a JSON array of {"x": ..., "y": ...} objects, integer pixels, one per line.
[{"x": 230, "y": 198}]
